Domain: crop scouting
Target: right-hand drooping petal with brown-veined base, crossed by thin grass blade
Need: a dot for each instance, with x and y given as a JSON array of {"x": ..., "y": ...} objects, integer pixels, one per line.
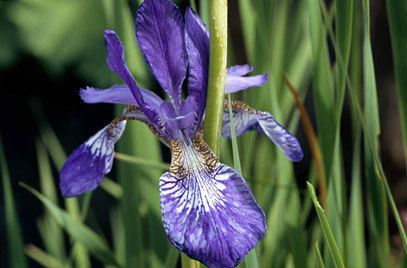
[{"x": 247, "y": 118}]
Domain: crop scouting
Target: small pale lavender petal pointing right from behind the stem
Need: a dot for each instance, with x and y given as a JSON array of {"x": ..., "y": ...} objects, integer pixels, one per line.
[{"x": 236, "y": 81}]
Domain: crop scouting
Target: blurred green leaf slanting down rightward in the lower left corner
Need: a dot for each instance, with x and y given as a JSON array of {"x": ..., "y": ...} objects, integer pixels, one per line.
[{"x": 77, "y": 230}]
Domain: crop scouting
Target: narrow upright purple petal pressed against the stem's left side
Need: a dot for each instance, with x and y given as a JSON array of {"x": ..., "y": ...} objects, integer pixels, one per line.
[{"x": 197, "y": 44}]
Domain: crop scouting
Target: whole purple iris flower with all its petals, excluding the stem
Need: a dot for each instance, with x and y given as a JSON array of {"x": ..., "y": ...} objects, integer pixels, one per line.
[{"x": 208, "y": 211}]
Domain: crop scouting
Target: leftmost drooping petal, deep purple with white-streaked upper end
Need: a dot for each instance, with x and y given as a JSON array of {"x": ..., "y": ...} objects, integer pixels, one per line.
[{"x": 85, "y": 168}]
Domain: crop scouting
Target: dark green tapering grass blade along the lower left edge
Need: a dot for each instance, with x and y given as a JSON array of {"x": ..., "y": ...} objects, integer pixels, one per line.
[{"x": 15, "y": 248}]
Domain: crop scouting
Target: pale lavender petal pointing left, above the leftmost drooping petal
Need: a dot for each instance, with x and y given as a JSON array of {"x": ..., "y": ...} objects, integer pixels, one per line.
[{"x": 118, "y": 94}]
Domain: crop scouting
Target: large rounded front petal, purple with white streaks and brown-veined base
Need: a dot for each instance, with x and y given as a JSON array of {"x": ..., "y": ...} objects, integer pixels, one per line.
[{"x": 209, "y": 213}]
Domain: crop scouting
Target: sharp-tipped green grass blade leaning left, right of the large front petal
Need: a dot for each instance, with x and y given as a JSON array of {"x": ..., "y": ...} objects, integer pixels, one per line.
[{"x": 329, "y": 237}]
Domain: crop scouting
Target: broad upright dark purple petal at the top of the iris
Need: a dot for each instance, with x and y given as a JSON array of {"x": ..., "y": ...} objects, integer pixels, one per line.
[{"x": 160, "y": 35}]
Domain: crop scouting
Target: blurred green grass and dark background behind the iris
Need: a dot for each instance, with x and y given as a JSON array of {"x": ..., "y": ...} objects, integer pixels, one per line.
[{"x": 347, "y": 60}]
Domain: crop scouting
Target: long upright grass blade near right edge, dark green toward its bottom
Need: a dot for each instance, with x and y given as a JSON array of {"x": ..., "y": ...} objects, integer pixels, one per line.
[{"x": 377, "y": 207}]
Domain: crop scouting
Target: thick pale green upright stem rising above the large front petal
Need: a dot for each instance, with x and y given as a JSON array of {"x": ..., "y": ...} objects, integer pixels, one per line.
[{"x": 217, "y": 73}]
